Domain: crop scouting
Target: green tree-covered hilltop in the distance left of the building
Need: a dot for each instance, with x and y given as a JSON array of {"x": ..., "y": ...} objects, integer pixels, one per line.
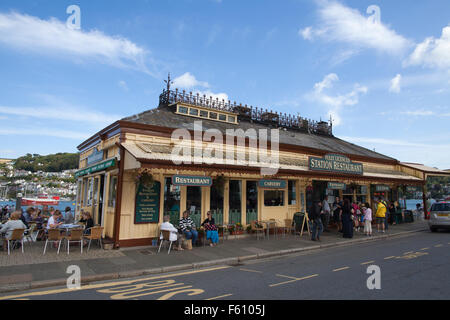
[{"x": 50, "y": 163}]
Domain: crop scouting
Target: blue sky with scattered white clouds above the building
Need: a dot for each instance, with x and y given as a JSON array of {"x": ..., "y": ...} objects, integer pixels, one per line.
[{"x": 379, "y": 69}]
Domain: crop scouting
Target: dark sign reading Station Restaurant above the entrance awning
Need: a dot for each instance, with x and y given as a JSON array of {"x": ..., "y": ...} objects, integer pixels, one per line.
[{"x": 335, "y": 163}]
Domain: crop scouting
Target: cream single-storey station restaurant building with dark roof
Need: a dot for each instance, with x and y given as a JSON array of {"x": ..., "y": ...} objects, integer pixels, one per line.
[{"x": 310, "y": 163}]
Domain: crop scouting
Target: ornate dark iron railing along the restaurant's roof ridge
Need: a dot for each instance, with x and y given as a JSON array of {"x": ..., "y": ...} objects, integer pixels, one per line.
[{"x": 280, "y": 120}]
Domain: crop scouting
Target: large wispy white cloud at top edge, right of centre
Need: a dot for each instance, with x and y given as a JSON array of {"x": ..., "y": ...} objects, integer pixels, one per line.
[{"x": 339, "y": 23}]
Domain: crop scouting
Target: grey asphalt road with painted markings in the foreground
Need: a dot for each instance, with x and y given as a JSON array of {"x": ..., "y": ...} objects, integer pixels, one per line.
[{"x": 411, "y": 267}]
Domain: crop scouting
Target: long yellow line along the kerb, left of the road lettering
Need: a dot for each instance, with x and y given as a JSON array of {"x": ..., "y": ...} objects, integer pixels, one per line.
[{"x": 109, "y": 284}]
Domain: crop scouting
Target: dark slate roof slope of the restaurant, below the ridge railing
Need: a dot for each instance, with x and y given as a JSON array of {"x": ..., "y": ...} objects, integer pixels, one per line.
[{"x": 163, "y": 116}]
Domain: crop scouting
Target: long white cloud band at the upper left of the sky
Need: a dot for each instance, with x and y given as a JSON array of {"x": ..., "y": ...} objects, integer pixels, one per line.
[{"x": 52, "y": 37}]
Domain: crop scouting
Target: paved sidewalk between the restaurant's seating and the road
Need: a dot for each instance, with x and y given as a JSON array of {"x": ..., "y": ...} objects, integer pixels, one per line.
[{"x": 32, "y": 269}]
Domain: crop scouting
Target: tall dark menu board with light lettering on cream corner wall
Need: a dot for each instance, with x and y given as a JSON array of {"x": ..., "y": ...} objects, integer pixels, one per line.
[{"x": 147, "y": 204}]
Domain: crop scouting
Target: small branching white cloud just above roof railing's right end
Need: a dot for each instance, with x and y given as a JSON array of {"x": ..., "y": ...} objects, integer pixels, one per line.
[{"x": 336, "y": 103}]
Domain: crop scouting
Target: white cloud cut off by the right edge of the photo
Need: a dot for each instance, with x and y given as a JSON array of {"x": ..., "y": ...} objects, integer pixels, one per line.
[{"x": 434, "y": 53}]
